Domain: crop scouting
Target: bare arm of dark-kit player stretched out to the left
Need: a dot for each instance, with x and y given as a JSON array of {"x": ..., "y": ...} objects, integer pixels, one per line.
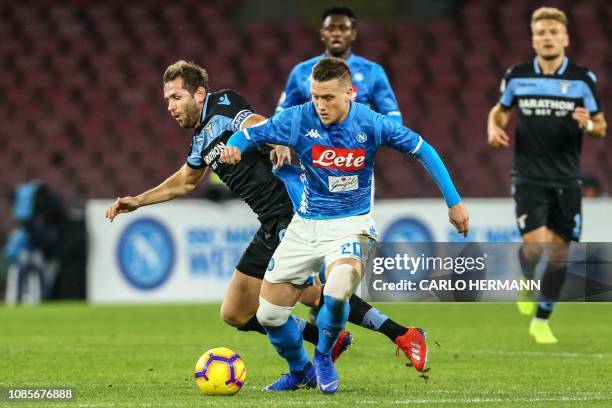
[{"x": 179, "y": 184}]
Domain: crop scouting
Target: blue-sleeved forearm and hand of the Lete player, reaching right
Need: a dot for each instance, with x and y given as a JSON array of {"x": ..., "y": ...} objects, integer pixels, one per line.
[{"x": 457, "y": 213}]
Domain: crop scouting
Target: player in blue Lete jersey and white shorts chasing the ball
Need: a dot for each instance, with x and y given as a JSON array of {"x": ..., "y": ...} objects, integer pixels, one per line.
[{"x": 336, "y": 140}]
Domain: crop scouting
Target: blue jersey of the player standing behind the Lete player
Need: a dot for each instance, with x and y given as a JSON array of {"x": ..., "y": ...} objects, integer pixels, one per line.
[{"x": 370, "y": 86}]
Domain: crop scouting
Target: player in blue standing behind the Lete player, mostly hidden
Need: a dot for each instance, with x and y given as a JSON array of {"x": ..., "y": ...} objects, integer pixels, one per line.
[{"x": 370, "y": 83}]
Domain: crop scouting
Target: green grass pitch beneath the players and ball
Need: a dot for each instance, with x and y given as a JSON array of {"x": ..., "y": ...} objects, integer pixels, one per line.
[{"x": 145, "y": 355}]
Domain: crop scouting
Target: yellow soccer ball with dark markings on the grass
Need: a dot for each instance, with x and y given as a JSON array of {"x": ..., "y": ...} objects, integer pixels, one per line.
[{"x": 220, "y": 371}]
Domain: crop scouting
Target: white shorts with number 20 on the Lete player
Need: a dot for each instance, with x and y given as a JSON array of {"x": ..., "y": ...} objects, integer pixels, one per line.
[{"x": 309, "y": 243}]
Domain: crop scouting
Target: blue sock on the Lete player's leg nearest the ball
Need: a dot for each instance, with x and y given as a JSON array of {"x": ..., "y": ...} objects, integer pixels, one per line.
[{"x": 287, "y": 340}]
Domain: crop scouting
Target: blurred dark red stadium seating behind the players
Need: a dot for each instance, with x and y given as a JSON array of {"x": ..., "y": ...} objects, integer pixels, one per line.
[{"x": 82, "y": 106}]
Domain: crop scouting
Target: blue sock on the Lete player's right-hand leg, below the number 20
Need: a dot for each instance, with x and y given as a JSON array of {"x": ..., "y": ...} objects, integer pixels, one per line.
[{"x": 331, "y": 320}]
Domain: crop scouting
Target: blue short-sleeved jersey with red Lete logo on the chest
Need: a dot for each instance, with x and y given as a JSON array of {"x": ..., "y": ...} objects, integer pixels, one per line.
[{"x": 338, "y": 160}]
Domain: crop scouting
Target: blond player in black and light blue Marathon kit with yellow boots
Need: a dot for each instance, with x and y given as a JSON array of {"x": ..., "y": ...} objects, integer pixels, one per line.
[{"x": 557, "y": 103}]
